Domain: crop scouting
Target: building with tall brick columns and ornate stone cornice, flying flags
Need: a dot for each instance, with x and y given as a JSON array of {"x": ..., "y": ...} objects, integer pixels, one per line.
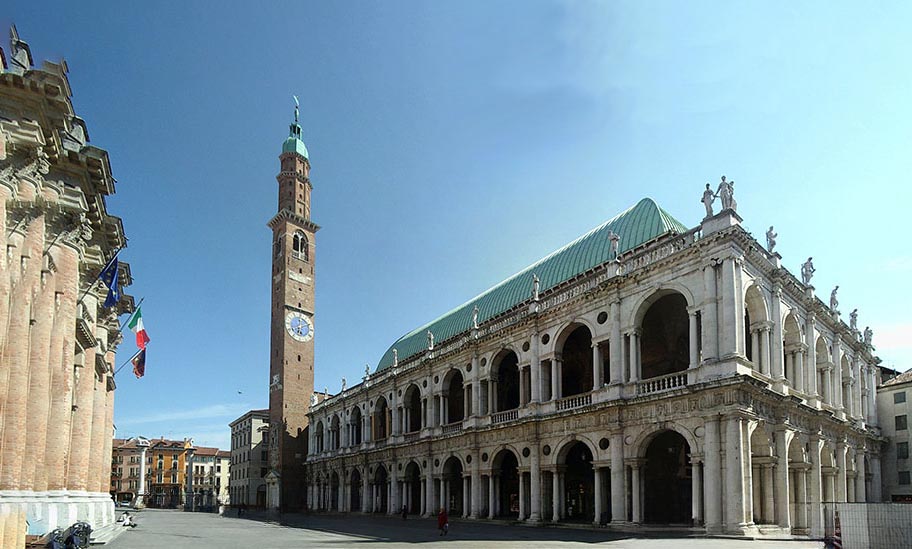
[{"x": 57, "y": 341}]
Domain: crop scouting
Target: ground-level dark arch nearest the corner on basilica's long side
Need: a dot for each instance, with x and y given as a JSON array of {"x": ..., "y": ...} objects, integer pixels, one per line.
[{"x": 667, "y": 480}]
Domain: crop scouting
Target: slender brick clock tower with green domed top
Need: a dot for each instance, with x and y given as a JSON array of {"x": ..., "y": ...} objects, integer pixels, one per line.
[{"x": 291, "y": 356}]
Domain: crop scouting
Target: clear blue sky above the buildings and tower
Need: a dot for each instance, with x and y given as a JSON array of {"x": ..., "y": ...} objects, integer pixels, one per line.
[{"x": 452, "y": 144}]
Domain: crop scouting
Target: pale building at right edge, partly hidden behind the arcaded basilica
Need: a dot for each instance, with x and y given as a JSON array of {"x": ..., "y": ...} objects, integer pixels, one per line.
[{"x": 895, "y": 410}]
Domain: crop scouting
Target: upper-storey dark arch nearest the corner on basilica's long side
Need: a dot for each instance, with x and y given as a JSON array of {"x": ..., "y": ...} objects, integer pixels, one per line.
[{"x": 665, "y": 345}]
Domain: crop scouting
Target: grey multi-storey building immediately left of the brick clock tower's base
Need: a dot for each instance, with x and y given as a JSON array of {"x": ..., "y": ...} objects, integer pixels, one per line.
[{"x": 249, "y": 458}]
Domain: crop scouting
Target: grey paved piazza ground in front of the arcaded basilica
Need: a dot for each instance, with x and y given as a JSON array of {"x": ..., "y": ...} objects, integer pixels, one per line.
[{"x": 178, "y": 530}]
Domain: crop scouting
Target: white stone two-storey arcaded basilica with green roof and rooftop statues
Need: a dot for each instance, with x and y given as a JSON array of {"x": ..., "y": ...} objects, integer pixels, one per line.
[{"x": 647, "y": 372}]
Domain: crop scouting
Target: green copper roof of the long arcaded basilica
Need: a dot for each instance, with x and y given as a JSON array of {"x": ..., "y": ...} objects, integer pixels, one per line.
[{"x": 639, "y": 224}]
